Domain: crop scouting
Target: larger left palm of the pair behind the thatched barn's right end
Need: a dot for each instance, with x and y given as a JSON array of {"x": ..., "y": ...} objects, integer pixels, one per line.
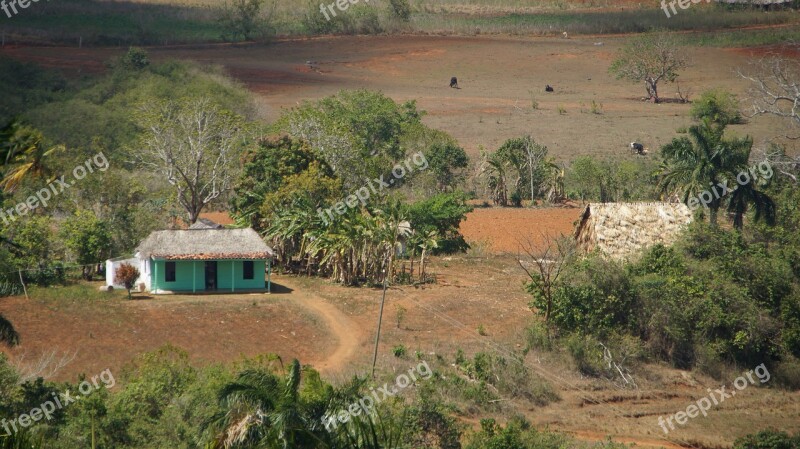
[{"x": 692, "y": 166}]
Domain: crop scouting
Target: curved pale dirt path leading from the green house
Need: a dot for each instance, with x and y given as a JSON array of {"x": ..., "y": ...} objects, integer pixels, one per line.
[{"x": 345, "y": 330}]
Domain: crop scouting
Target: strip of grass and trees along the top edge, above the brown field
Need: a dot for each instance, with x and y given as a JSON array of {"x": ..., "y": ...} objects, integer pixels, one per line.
[{"x": 201, "y": 21}]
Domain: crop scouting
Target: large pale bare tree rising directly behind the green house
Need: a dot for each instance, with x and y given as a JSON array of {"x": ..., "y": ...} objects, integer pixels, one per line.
[{"x": 194, "y": 145}]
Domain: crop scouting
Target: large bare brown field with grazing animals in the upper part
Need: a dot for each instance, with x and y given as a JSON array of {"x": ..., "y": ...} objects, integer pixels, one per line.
[{"x": 499, "y": 77}]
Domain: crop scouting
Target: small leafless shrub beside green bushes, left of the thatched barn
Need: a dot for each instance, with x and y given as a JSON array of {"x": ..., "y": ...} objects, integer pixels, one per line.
[{"x": 545, "y": 263}]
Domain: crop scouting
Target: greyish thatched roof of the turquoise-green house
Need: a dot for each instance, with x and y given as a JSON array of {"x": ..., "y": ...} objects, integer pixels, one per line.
[{"x": 205, "y": 244}]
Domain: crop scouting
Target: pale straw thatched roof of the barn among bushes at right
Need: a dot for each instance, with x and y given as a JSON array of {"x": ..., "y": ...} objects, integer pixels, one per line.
[{"x": 620, "y": 230}]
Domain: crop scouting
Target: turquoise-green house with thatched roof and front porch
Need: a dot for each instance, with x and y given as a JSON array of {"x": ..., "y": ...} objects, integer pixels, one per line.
[{"x": 205, "y": 259}]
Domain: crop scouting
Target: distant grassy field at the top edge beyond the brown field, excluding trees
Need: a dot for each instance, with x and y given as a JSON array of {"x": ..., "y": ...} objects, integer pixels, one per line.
[{"x": 164, "y": 22}]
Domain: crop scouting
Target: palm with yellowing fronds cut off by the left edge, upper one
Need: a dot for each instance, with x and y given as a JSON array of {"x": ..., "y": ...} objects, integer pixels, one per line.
[{"x": 24, "y": 150}]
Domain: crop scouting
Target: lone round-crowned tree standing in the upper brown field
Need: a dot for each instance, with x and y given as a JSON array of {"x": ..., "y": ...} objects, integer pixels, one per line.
[{"x": 651, "y": 58}]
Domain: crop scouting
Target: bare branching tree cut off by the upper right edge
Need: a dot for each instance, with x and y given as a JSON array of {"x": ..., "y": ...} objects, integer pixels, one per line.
[{"x": 775, "y": 89}]
